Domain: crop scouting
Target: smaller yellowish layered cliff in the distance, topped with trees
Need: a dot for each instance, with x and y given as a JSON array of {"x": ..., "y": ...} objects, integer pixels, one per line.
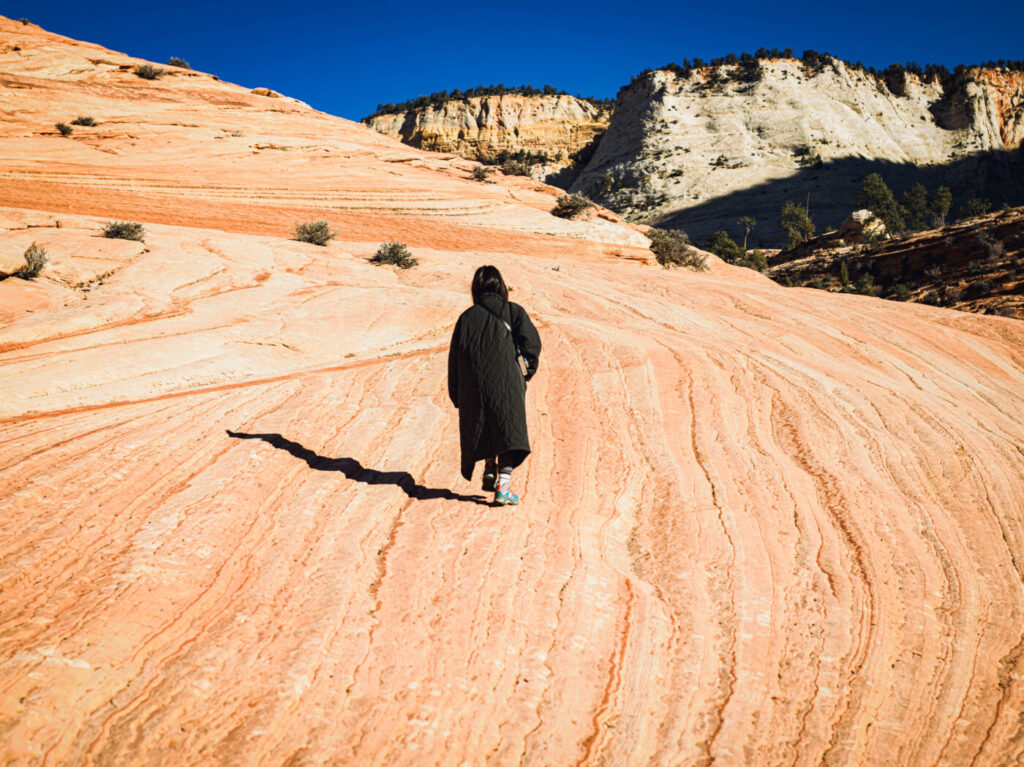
[{"x": 481, "y": 127}]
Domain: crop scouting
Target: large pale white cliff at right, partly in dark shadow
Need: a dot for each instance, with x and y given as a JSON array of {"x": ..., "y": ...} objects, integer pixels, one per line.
[{"x": 701, "y": 152}]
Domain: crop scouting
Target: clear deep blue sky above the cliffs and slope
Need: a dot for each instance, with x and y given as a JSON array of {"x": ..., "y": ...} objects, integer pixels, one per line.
[{"x": 348, "y": 58}]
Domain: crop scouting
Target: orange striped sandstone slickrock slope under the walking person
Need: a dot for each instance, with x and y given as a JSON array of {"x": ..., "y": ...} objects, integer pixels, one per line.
[{"x": 760, "y": 526}]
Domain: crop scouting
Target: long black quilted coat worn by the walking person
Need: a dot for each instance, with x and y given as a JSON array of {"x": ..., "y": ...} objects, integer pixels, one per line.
[{"x": 486, "y": 382}]
